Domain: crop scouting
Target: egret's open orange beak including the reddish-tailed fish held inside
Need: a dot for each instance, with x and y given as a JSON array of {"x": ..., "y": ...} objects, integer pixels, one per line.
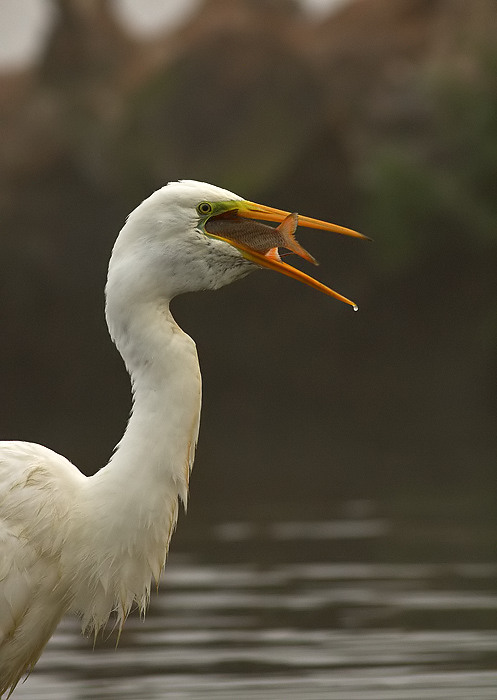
[{"x": 260, "y": 243}]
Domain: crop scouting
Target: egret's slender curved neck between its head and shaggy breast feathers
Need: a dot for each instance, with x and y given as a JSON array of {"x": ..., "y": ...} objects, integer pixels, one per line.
[{"x": 159, "y": 441}]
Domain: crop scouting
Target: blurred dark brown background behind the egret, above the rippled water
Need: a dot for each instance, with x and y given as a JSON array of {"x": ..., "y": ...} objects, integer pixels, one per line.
[{"x": 383, "y": 118}]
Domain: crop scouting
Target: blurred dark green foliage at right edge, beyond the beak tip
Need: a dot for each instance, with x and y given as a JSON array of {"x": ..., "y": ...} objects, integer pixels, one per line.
[{"x": 435, "y": 186}]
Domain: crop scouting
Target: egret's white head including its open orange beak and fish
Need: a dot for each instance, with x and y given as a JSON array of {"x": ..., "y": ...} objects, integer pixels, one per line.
[{"x": 190, "y": 236}]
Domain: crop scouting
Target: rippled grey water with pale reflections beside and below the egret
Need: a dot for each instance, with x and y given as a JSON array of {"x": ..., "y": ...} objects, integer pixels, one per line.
[{"x": 310, "y": 610}]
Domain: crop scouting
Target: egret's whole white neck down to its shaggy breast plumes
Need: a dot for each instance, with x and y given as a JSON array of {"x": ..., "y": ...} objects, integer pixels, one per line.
[{"x": 133, "y": 500}]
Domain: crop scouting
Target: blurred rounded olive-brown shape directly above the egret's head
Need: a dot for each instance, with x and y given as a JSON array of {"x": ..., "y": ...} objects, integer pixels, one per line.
[{"x": 236, "y": 131}]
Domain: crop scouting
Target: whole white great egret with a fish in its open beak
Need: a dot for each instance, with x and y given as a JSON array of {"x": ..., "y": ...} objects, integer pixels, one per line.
[{"x": 93, "y": 544}]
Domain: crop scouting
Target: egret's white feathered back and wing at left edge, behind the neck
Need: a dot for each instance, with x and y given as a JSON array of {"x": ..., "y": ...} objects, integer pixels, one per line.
[{"x": 38, "y": 490}]
